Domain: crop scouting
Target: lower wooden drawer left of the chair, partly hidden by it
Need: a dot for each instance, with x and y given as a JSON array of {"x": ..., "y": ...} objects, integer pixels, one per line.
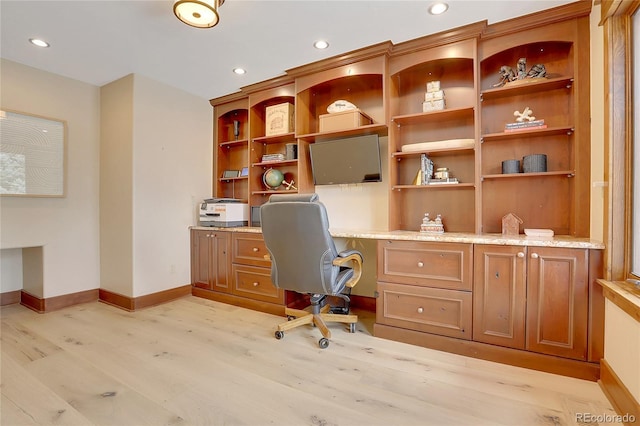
[{"x": 255, "y": 283}]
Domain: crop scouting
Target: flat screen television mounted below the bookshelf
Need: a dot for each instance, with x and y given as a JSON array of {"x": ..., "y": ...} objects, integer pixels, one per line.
[{"x": 347, "y": 160}]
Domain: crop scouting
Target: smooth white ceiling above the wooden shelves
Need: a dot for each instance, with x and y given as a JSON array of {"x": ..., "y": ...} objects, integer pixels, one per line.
[{"x": 101, "y": 41}]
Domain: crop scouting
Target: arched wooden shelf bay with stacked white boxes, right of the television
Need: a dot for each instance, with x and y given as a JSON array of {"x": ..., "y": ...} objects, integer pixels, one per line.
[{"x": 452, "y": 62}]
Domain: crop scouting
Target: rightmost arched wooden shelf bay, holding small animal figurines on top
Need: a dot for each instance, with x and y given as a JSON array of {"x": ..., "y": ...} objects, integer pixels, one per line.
[{"x": 557, "y": 198}]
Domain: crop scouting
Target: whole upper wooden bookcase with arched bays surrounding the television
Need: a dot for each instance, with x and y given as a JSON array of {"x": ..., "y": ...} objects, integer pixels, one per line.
[{"x": 388, "y": 83}]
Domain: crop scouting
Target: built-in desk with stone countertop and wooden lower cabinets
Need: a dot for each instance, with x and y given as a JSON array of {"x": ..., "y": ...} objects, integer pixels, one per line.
[{"x": 530, "y": 302}]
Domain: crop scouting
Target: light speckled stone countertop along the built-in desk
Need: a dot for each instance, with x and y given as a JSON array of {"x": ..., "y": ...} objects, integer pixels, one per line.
[{"x": 447, "y": 237}]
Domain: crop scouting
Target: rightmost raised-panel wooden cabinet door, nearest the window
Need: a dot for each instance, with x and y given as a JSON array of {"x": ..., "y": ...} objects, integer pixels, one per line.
[{"x": 557, "y": 305}]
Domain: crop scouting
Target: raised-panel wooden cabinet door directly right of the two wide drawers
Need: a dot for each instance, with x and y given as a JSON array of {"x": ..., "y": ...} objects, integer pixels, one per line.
[{"x": 499, "y": 295}]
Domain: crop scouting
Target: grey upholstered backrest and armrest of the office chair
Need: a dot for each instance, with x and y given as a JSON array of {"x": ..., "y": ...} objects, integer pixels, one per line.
[{"x": 296, "y": 232}]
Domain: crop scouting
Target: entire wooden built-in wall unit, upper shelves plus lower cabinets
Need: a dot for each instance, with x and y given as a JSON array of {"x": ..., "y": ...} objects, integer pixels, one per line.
[{"x": 528, "y": 305}]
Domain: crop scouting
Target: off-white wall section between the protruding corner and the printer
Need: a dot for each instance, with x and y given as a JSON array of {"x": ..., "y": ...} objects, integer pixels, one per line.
[{"x": 172, "y": 169}]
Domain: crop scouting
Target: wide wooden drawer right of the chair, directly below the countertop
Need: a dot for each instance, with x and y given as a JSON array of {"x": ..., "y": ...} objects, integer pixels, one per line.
[{"x": 442, "y": 265}]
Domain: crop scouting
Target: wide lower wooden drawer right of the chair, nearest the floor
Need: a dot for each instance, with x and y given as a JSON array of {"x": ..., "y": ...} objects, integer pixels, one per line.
[{"x": 432, "y": 310}]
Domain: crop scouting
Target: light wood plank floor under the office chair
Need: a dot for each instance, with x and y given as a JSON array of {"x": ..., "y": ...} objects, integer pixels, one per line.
[{"x": 199, "y": 362}]
